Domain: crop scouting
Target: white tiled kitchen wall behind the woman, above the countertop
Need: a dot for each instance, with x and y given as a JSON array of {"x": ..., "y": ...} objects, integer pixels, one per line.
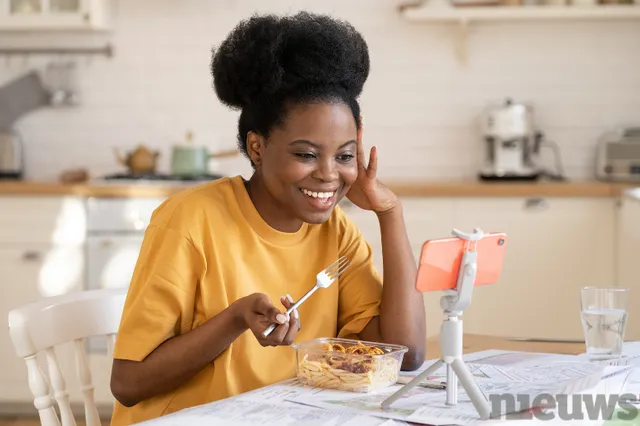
[{"x": 421, "y": 104}]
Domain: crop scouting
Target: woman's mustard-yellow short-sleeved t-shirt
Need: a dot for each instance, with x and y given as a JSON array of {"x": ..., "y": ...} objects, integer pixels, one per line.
[{"x": 208, "y": 246}]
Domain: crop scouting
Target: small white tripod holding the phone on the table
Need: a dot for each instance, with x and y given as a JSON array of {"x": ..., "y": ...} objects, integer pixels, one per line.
[{"x": 451, "y": 335}]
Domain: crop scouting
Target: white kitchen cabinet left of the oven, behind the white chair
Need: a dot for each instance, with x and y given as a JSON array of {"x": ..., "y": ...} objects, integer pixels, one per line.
[{"x": 41, "y": 255}]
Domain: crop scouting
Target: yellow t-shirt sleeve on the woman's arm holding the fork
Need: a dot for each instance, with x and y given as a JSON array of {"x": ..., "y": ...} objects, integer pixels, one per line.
[{"x": 160, "y": 299}]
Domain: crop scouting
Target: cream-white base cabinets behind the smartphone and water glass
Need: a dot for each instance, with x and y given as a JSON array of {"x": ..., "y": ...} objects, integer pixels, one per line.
[{"x": 556, "y": 245}]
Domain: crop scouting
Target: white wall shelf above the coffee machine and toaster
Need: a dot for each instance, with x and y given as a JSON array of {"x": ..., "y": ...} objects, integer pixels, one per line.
[{"x": 469, "y": 14}]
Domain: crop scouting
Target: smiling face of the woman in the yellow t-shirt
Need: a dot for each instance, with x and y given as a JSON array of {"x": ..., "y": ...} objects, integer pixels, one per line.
[{"x": 308, "y": 164}]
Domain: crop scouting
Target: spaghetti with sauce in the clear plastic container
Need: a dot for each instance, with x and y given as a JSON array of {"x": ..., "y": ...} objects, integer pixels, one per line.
[{"x": 357, "y": 368}]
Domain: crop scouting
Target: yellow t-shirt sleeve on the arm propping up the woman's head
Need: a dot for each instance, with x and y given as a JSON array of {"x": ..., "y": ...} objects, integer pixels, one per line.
[{"x": 360, "y": 290}]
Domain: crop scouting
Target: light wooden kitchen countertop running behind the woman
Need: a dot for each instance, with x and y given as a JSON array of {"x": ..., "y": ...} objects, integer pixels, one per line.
[{"x": 416, "y": 188}]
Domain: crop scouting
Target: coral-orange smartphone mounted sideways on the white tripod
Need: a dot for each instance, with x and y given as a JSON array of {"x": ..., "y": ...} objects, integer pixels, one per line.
[{"x": 440, "y": 261}]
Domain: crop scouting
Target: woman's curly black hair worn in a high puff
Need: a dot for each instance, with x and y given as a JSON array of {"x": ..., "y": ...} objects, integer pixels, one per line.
[{"x": 268, "y": 63}]
